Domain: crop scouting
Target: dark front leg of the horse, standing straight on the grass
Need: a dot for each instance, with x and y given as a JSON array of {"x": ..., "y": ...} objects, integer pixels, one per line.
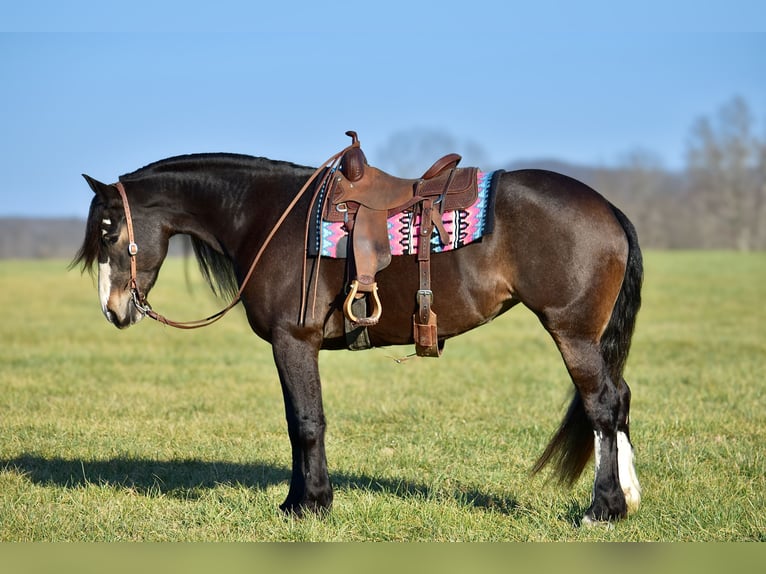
[{"x": 298, "y": 367}]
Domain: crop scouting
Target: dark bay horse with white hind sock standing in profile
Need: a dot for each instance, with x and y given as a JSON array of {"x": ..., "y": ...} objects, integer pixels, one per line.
[{"x": 558, "y": 247}]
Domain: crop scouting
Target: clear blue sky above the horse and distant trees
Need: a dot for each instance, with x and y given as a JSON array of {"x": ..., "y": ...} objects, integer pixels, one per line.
[{"x": 85, "y": 87}]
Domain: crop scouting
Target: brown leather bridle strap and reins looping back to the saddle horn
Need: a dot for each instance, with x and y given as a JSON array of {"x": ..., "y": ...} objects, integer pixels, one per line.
[{"x": 139, "y": 300}]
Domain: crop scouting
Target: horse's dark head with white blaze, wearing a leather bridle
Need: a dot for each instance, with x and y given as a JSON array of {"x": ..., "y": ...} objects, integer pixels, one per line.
[{"x": 107, "y": 244}]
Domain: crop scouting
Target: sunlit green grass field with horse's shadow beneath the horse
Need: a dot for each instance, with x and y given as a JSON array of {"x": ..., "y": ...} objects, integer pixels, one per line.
[{"x": 157, "y": 434}]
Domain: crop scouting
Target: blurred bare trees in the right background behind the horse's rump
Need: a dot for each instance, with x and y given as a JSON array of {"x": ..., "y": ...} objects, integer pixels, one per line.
[{"x": 717, "y": 202}]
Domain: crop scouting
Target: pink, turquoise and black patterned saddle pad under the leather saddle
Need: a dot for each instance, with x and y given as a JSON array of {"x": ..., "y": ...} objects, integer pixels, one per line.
[{"x": 464, "y": 226}]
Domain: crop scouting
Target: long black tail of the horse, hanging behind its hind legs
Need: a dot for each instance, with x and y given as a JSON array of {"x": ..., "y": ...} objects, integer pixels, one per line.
[{"x": 571, "y": 447}]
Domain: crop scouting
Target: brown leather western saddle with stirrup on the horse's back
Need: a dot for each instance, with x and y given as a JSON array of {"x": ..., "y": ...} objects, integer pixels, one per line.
[{"x": 364, "y": 197}]
